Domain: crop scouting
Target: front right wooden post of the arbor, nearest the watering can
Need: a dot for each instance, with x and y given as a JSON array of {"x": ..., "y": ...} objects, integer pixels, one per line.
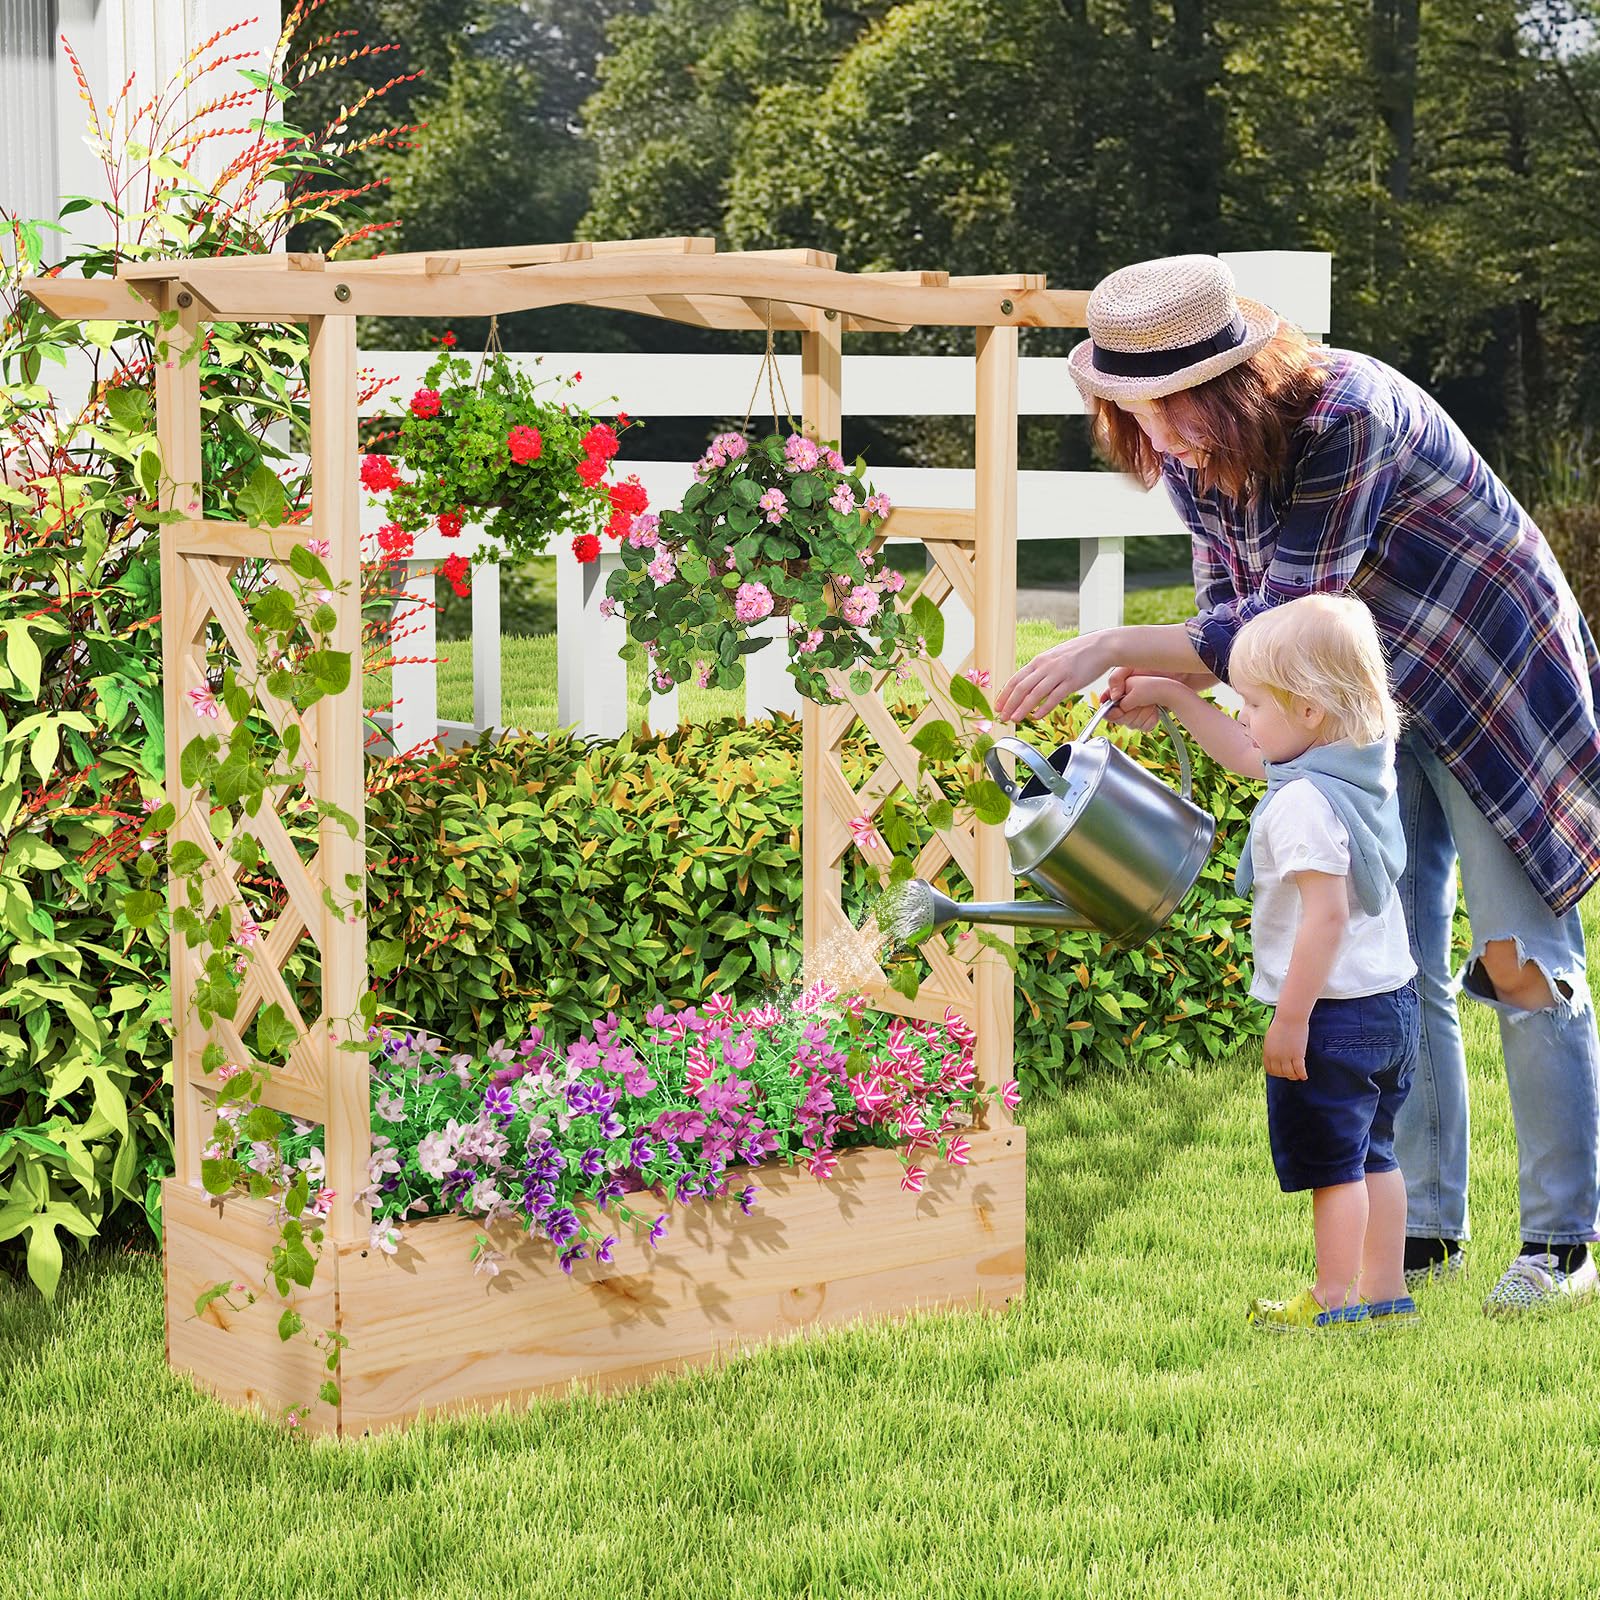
[{"x": 994, "y": 625}]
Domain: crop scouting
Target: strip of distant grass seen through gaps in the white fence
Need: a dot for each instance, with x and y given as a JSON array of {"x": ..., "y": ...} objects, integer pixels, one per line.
[{"x": 529, "y": 670}]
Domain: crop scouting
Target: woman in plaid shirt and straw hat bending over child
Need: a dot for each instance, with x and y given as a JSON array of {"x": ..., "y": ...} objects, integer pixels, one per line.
[{"x": 1300, "y": 471}]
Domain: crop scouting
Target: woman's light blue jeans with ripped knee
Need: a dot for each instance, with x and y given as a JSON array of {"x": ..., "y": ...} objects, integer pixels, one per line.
[{"x": 1553, "y": 1058}]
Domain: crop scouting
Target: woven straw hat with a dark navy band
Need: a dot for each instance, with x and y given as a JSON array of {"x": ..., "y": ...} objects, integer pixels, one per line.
[{"x": 1166, "y": 326}]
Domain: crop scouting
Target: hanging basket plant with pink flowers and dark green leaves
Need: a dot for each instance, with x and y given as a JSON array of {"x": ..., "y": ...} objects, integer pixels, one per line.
[{"x": 775, "y": 529}]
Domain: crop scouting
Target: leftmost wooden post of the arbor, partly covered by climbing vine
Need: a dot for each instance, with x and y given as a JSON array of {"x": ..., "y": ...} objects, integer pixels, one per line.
[{"x": 178, "y": 438}]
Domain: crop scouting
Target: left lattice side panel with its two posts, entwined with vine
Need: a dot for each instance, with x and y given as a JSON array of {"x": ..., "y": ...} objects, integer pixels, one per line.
[{"x": 314, "y": 914}]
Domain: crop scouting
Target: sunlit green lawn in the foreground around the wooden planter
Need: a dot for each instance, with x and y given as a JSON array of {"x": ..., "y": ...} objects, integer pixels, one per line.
[{"x": 1121, "y": 1433}]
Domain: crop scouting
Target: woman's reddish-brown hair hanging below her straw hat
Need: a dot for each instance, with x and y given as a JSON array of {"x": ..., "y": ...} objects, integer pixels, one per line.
[{"x": 1241, "y": 420}]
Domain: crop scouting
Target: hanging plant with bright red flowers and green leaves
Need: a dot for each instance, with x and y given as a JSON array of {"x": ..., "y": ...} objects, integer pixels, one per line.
[{"x": 500, "y": 447}]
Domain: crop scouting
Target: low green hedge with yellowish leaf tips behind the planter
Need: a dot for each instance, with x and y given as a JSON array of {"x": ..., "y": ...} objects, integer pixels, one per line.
[{"x": 551, "y": 881}]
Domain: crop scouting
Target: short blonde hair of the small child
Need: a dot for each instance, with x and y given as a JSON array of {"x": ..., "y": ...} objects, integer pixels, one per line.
[{"x": 1326, "y": 650}]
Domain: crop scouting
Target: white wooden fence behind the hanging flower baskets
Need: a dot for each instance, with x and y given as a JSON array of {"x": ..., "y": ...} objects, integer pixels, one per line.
[{"x": 1102, "y": 511}]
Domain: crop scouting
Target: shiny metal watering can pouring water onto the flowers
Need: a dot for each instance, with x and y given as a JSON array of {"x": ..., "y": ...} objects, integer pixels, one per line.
[{"x": 1111, "y": 846}]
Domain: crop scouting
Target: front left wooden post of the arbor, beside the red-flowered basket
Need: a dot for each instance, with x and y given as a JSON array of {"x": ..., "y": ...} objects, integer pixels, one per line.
[{"x": 337, "y": 778}]
